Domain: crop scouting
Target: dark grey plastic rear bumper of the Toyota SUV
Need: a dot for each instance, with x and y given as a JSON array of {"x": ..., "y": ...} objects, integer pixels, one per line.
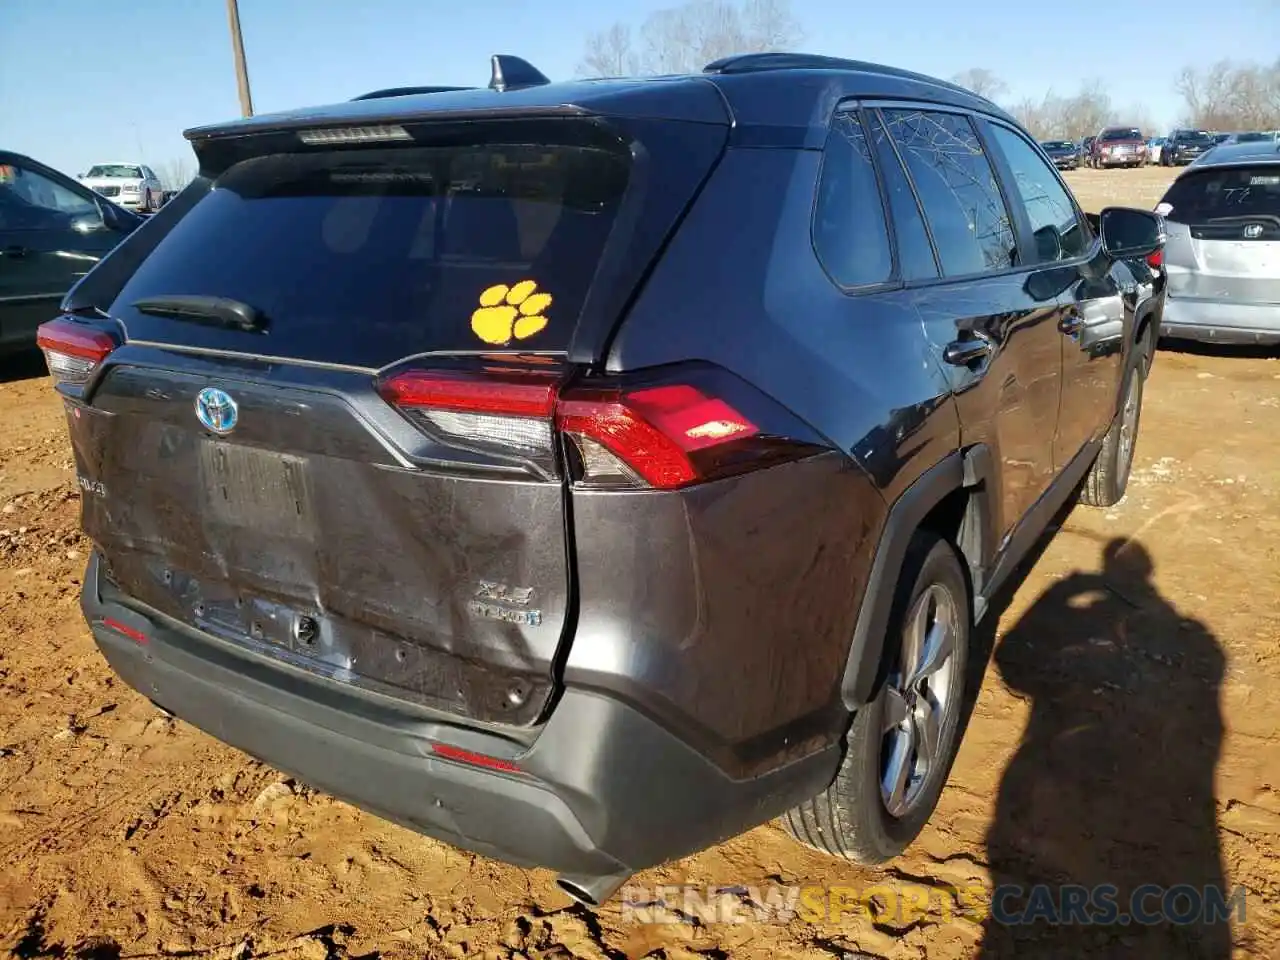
[{"x": 602, "y": 790}]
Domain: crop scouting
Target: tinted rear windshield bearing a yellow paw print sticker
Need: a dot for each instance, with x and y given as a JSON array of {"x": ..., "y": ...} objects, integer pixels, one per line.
[{"x": 423, "y": 248}]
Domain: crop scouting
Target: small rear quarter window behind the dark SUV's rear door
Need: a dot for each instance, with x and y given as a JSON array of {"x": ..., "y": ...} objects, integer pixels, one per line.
[{"x": 849, "y": 230}]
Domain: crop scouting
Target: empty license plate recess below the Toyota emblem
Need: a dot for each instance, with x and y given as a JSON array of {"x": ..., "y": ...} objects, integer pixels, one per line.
[{"x": 255, "y": 491}]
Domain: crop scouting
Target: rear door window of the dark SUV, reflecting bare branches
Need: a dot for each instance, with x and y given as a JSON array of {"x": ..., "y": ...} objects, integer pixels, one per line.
[{"x": 958, "y": 189}]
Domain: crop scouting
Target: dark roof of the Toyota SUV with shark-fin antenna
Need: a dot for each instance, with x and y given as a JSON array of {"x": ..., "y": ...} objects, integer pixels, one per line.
[{"x": 790, "y": 95}]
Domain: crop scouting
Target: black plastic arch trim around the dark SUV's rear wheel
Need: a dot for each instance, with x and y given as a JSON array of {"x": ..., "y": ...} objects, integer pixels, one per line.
[{"x": 962, "y": 470}]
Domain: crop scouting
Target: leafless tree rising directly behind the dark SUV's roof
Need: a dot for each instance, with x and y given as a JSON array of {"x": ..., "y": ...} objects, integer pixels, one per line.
[{"x": 685, "y": 39}]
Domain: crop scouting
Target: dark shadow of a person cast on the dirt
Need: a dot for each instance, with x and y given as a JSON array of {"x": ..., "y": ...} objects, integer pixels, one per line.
[{"x": 1109, "y": 801}]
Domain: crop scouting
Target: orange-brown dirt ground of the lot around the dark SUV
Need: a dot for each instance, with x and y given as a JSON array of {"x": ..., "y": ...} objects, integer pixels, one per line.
[{"x": 1127, "y": 733}]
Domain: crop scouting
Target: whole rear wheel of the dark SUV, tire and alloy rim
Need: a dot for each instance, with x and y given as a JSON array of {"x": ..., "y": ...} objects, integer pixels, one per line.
[{"x": 900, "y": 747}]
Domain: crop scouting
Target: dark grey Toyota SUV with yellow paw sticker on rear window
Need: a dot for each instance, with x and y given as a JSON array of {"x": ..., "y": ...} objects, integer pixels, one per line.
[{"x": 583, "y": 474}]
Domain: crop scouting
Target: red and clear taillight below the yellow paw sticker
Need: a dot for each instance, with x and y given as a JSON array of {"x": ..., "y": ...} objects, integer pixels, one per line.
[{"x": 664, "y": 433}]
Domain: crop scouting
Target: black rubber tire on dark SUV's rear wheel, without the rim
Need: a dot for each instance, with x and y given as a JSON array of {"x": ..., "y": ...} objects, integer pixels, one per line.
[{"x": 852, "y": 817}]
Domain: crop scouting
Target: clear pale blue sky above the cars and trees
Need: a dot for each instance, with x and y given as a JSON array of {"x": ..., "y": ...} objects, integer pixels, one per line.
[{"x": 93, "y": 80}]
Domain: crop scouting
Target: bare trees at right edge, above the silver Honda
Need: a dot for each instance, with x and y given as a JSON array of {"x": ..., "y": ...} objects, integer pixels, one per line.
[{"x": 1231, "y": 97}]
